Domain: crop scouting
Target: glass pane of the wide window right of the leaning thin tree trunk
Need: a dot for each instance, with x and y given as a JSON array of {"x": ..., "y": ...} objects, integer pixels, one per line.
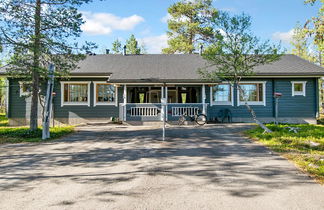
[{"x": 252, "y": 92}]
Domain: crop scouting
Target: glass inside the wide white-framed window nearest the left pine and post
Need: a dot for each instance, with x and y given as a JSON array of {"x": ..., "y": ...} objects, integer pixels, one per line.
[{"x": 75, "y": 92}]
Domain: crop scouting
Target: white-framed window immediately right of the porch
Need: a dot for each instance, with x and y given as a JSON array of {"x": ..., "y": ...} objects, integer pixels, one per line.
[{"x": 221, "y": 94}]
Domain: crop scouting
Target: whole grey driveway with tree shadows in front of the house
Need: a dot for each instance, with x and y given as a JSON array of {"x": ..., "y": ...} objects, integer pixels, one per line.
[{"x": 210, "y": 167}]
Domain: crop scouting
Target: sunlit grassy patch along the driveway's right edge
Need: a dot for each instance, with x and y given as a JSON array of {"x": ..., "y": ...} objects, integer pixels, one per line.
[{"x": 302, "y": 144}]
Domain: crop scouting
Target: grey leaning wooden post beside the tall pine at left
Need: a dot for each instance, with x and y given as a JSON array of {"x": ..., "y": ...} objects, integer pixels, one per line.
[{"x": 48, "y": 103}]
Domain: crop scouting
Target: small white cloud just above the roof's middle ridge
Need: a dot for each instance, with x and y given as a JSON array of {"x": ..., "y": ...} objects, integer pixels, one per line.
[{"x": 155, "y": 44}]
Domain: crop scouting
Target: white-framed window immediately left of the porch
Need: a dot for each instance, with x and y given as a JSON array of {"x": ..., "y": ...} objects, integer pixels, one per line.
[{"x": 105, "y": 94}]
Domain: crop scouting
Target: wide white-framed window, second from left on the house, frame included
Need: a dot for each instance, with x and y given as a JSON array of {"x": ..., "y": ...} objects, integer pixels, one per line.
[{"x": 75, "y": 93}]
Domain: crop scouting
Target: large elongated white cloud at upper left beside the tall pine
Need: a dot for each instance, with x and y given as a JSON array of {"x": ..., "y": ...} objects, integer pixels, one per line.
[{"x": 105, "y": 23}]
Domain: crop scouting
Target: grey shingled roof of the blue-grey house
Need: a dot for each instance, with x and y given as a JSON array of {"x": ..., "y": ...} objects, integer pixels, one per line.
[{"x": 181, "y": 67}]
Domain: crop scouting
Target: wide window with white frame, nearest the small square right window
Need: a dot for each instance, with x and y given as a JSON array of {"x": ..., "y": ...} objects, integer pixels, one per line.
[{"x": 253, "y": 93}]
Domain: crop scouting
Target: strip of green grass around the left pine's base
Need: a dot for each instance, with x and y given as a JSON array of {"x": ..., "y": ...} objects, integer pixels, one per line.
[{"x": 23, "y": 134}]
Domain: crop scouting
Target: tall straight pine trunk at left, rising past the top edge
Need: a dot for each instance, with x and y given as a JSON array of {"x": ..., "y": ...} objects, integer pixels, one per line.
[{"x": 36, "y": 63}]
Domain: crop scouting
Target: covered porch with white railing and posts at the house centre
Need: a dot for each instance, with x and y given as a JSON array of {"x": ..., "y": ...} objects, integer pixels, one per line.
[{"x": 143, "y": 102}]
